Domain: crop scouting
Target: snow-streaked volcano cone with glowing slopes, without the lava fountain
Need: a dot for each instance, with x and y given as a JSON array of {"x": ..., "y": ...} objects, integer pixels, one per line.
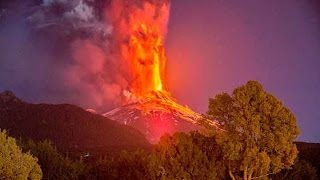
[{"x": 156, "y": 114}]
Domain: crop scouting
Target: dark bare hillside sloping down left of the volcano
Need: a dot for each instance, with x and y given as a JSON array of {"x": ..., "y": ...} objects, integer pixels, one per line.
[{"x": 69, "y": 127}]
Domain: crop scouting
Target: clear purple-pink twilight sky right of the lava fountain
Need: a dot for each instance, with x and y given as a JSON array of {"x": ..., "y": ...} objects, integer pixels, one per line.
[{"x": 215, "y": 46}]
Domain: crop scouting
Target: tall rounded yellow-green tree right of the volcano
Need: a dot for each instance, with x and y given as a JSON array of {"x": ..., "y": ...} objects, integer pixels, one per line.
[{"x": 259, "y": 131}]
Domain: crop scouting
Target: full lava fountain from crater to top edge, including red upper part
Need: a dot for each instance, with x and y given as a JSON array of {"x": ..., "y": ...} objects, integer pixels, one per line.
[{"x": 141, "y": 31}]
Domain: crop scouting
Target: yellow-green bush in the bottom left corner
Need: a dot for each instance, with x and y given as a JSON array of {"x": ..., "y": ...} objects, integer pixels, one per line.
[{"x": 14, "y": 164}]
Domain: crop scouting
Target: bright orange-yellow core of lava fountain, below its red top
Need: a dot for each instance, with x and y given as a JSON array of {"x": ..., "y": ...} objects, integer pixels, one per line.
[{"x": 147, "y": 59}]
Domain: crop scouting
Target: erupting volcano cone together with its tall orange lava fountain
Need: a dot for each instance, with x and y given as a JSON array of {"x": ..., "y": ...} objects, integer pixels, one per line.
[{"x": 148, "y": 106}]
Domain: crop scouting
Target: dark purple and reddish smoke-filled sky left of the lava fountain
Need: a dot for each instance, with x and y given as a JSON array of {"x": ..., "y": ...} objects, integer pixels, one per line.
[{"x": 67, "y": 51}]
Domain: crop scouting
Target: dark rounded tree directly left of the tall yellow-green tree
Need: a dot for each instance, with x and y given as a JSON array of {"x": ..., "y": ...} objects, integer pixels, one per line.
[{"x": 188, "y": 156}]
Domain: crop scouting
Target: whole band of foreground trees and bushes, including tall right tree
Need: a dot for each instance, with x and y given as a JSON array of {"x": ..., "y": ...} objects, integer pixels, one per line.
[{"x": 256, "y": 143}]
